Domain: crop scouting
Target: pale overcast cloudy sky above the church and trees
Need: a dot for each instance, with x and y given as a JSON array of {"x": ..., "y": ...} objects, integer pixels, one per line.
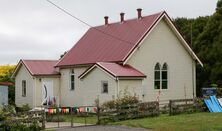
[{"x": 35, "y": 29}]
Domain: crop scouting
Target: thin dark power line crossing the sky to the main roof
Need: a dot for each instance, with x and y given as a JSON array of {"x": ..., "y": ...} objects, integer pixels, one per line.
[{"x": 110, "y": 35}]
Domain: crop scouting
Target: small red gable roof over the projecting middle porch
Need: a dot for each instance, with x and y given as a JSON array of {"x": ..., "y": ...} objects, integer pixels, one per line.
[{"x": 116, "y": 70}]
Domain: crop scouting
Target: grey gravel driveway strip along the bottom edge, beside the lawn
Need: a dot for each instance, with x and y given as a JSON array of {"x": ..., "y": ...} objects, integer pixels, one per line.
[{"x": 102, "y": 128}]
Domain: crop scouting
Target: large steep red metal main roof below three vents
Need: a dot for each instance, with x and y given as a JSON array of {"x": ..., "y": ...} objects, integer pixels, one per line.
[{"x": 109, "y": 43}]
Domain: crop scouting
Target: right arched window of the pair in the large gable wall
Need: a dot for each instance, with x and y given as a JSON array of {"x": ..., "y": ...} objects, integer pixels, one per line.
[{"x": 164, "y": 76}]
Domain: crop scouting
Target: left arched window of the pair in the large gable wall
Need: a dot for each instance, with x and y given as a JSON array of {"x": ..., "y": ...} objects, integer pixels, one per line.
[{"x": 157, "y": 76}]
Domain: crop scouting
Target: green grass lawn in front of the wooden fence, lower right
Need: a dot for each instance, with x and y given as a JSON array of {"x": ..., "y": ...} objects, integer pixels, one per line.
[{"x": 183, "y": 122}]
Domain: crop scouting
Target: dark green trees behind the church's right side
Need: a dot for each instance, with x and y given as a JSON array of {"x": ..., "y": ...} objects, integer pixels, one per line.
[{"x": 206, "y": 33}]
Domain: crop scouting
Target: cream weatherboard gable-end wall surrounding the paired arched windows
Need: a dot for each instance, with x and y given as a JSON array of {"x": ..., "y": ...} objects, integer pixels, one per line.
[{"x": 161, "y": 46}]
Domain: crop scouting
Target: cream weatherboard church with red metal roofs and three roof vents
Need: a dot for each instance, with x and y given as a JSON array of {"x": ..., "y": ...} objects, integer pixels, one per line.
[{"x": 146, "y": 56}]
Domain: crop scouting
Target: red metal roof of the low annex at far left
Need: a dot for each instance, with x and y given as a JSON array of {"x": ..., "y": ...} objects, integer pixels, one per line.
[{"x": 41, "y": 67}]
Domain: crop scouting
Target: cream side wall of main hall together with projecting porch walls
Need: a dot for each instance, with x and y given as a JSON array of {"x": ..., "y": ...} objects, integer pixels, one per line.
[{"x": 89, "y": 88}]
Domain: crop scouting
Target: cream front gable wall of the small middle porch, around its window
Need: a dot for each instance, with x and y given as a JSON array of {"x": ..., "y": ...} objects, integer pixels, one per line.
[{"x": 92, "y": 87}]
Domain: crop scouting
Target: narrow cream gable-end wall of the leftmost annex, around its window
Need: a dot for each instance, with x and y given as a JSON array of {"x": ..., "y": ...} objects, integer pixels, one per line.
[{"x": 23, "y": 74}]
